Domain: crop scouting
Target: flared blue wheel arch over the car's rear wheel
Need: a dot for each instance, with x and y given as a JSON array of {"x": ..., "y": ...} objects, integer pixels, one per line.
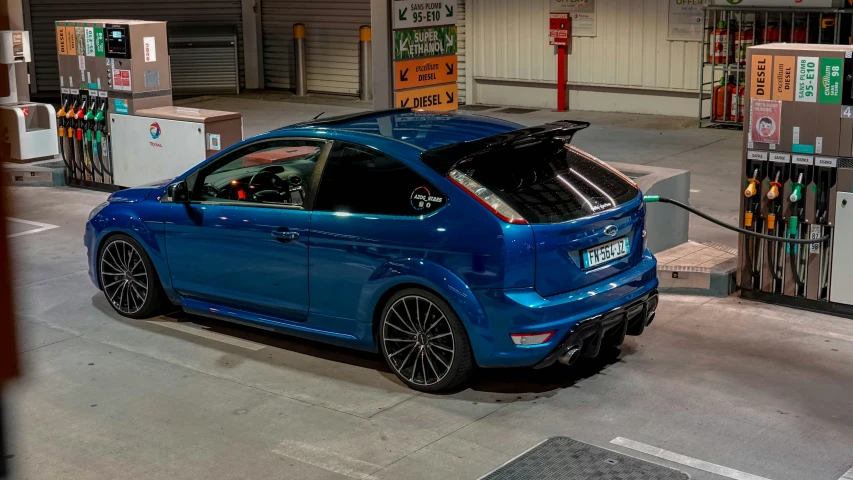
[{"x": 414, "y": 271}]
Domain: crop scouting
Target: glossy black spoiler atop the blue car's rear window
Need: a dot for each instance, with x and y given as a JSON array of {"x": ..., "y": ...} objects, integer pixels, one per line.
[{"x": 444, "y": 159}]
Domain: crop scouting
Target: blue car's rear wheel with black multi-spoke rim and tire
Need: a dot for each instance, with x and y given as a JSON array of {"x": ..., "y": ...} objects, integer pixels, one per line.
[{"x": 423, "y": 342}]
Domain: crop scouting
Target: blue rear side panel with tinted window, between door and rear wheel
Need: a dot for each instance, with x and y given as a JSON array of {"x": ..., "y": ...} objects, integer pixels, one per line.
[{"x": 370, "y": 210}]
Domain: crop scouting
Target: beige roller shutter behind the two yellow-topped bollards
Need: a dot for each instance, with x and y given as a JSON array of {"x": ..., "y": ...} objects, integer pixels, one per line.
[{"x": 331, "y": 42}]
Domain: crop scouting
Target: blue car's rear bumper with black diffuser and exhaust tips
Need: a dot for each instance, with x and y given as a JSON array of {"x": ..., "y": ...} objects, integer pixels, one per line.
[{"x": 573, "y": 316}]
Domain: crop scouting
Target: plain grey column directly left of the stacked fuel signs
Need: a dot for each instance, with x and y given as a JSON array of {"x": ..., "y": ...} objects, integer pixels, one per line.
[{"x": 380, "y": 20}]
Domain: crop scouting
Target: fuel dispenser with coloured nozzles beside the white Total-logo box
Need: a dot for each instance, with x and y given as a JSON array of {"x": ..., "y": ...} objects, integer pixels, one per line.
[{"x": 106, "y": 67}]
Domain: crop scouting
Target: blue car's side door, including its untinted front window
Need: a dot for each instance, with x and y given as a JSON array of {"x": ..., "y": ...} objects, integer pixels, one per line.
[{"x": 242, "y": 241}]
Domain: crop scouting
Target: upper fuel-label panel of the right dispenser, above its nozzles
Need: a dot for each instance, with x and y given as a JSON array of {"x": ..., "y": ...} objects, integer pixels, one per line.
[{"x": 800, "y": 99}]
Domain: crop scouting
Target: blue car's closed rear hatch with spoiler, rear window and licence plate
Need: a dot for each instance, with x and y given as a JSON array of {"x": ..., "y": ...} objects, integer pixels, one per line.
[{"x": 587, "y": 218}]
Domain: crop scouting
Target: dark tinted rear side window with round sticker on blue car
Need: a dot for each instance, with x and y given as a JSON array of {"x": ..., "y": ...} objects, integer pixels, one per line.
[{"x": 359, "y": 180}]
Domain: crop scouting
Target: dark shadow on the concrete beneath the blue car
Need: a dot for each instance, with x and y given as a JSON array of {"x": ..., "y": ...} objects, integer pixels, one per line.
[{"x": 503, "y": 382}]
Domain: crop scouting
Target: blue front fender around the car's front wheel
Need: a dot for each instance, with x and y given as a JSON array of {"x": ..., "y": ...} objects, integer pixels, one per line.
[{"x": 121, "y": 218}]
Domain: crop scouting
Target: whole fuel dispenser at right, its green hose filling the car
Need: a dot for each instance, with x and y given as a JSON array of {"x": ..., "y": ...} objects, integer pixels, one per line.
[{"x": 797, "y": 172}]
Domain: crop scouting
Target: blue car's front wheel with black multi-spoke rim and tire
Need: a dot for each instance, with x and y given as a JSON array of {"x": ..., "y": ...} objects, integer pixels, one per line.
[{"x": 129, "y": 280}]
